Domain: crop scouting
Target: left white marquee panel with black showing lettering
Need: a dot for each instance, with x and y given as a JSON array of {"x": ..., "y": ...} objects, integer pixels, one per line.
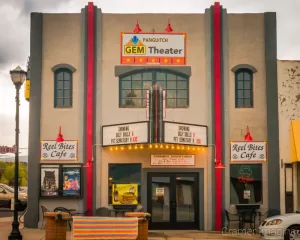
[{"x": 123, "y": 134}]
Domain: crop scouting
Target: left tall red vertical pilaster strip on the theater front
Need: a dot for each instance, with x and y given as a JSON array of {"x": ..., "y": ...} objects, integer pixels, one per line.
[{"x": 89, "y": 105}]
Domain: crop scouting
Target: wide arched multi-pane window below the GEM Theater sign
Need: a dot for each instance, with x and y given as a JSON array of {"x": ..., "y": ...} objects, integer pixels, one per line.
[{"x": 134, "y": 85}]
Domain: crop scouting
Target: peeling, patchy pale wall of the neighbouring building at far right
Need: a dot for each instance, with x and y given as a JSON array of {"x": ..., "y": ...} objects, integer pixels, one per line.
[{"x": 289, "y": 109}]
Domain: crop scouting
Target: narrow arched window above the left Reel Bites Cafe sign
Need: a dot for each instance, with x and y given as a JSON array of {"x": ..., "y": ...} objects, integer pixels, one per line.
[{"x": 63, "y": 92}]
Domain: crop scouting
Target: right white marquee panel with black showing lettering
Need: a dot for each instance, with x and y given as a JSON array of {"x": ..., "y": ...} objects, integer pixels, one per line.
[{"x": 186, "y": 134}]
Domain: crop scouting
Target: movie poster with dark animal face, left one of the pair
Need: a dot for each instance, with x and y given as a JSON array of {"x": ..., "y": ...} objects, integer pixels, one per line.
[{"x": 49, "y": 181}]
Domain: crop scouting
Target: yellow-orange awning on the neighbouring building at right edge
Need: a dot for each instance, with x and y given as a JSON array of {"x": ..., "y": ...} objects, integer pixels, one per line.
[{"x": 295, "y": 141}]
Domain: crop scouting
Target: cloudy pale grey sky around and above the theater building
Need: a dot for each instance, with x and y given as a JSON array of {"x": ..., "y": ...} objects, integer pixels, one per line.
[{"x": 15, "y": 38}]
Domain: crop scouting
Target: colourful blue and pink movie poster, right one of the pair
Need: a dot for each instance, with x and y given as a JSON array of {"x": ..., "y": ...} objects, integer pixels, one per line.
[{"x": 71, "y": 181}]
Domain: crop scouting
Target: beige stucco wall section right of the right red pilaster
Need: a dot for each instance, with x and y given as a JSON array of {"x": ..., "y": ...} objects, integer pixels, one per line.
[{"x": 246, "y": 46}]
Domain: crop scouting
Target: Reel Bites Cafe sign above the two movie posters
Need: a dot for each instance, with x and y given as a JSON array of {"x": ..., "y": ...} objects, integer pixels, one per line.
[{"x": 52, "y": 150}]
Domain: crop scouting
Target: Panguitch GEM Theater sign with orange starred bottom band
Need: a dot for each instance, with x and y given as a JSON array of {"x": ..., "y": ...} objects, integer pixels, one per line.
[{"x": 153, "y": 48}]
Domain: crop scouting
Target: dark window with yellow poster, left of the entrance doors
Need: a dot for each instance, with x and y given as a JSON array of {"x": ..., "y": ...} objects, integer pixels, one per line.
[{"x": 122, "y": 175}]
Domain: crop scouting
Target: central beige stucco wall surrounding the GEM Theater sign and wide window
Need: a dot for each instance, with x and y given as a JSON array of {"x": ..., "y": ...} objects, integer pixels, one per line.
[{"x": 193, "y": 25}]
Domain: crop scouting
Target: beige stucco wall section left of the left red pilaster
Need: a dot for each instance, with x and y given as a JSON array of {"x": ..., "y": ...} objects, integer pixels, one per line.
[{"x": 61, "y": 44}]
